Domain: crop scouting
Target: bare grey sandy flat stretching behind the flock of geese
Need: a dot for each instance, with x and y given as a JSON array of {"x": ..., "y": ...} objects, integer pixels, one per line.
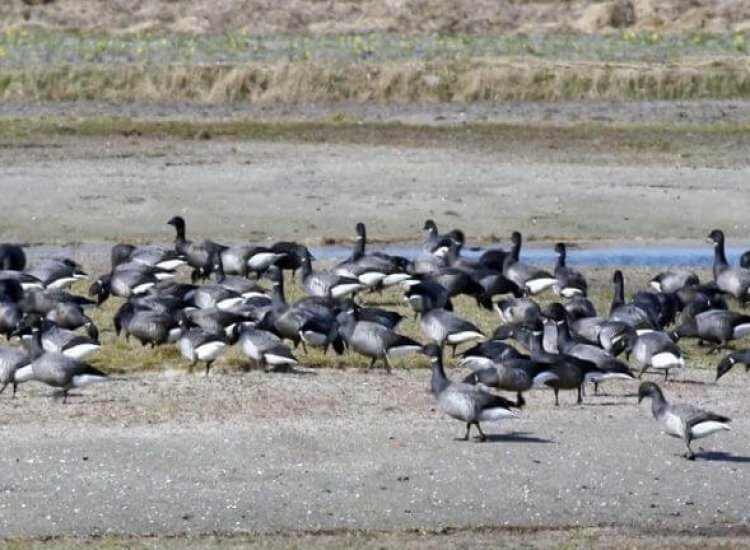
[{"x": 109, "y": 189}]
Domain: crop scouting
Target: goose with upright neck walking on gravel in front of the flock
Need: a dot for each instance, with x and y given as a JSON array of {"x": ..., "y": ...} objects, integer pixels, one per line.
[{"x": 465, "y": 402}]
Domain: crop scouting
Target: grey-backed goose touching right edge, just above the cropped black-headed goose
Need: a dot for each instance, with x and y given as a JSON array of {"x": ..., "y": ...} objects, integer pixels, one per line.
[{"x": 716, "y": 326}]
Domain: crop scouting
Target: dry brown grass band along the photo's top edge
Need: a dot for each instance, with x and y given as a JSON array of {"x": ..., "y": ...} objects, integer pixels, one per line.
[{"x": 336, "y": 16}]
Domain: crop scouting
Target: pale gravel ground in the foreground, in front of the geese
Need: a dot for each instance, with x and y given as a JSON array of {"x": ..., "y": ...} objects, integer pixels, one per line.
[{"x": 169, "y": 453}]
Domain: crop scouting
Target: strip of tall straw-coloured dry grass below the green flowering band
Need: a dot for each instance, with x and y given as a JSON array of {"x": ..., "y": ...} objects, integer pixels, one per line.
[{"x": 482, "y": 79}]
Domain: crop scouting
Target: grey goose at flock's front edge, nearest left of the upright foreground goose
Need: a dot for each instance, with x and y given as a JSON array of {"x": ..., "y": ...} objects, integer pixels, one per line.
[{"x": 374, "y": 340}]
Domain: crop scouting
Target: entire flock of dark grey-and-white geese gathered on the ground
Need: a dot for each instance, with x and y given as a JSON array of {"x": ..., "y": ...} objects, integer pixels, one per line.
[{"x": 564, "y": 345}]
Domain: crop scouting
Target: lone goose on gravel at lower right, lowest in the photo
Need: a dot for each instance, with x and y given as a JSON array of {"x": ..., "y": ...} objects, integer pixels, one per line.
[{"x": 679, "y": 420}]
